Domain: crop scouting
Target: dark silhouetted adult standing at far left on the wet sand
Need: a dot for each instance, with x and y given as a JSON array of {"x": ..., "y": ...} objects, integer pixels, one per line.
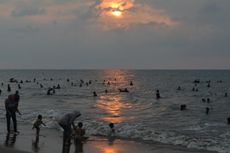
[{"x": 11, "y": 106}]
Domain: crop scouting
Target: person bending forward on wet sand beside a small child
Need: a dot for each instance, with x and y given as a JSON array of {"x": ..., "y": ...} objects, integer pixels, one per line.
[{"x": 66, "y": 122}]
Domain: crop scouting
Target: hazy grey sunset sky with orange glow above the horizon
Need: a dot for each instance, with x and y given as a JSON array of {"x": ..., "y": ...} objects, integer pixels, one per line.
[{"x": 103, "y": 34}]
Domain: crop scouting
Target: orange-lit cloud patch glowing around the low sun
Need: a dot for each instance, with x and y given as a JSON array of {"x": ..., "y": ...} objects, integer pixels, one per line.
[{"x": 123, "y": 14}]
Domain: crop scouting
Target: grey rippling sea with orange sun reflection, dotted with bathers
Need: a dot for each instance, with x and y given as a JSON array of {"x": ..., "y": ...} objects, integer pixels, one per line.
[{"x": 137, "y": 115}]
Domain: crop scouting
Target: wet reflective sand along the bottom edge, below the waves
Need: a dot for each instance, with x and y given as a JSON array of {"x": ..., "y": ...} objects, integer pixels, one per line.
[{"x": 50, "y": 141}]
